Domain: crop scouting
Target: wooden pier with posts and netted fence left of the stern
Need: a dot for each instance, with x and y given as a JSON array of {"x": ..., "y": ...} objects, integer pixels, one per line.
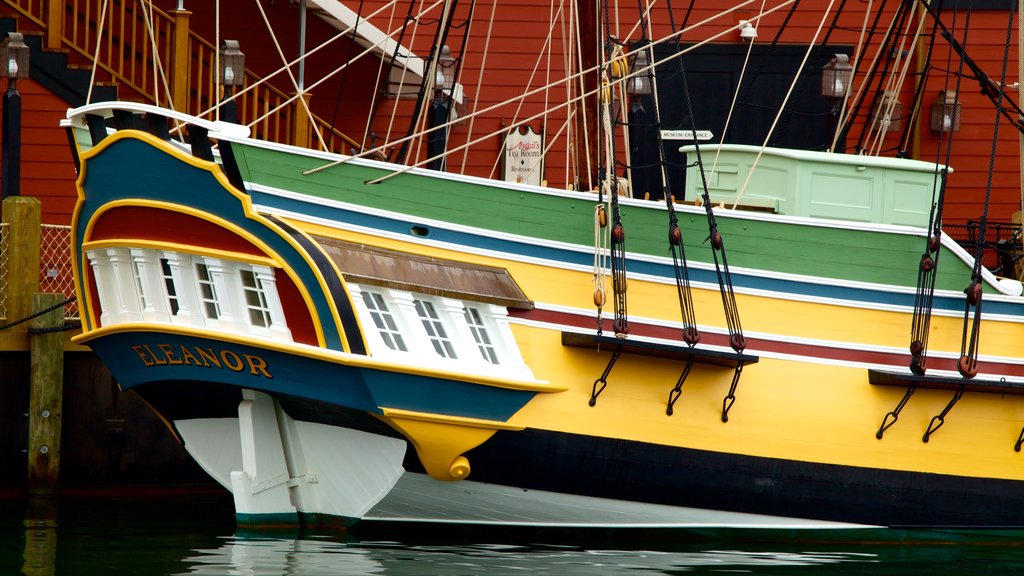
[{"x": 63, "y": 418}]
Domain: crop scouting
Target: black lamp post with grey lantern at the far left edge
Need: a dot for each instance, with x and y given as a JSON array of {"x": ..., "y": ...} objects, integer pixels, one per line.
[{"x": 15, "y": 56}]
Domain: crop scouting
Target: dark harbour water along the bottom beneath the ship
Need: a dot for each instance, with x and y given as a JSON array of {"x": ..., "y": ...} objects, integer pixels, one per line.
[{"x": 195, "y": 534}]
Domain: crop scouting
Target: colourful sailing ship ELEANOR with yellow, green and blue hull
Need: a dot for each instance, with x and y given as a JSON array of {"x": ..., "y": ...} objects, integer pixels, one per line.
[{"x": 785, "y": 342}]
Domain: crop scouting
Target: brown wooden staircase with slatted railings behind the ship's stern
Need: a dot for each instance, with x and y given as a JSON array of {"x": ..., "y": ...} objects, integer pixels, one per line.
[{"x": 177, "y": 71}]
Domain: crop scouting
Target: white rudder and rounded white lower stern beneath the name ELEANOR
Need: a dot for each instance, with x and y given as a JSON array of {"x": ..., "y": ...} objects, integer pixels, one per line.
[{"x": 276, "y": 467}]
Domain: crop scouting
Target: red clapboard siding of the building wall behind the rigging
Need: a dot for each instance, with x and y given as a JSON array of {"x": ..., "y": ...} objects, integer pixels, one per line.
[{"x": 518, "y": 34}]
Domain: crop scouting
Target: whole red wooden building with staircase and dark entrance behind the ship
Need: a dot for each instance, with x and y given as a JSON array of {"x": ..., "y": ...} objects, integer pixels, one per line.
[{"x": 503, "y": 52}]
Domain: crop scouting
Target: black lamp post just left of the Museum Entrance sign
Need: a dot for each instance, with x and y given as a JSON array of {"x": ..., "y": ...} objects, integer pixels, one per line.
[{"x": 644, "y": 158}]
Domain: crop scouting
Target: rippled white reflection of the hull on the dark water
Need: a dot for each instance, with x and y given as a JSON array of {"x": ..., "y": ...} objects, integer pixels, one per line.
[{"x": 258, "y": 557}]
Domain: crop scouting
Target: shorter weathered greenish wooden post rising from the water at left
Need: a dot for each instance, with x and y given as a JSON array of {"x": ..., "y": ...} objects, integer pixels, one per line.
[{"x": 47, "y": 389}]
